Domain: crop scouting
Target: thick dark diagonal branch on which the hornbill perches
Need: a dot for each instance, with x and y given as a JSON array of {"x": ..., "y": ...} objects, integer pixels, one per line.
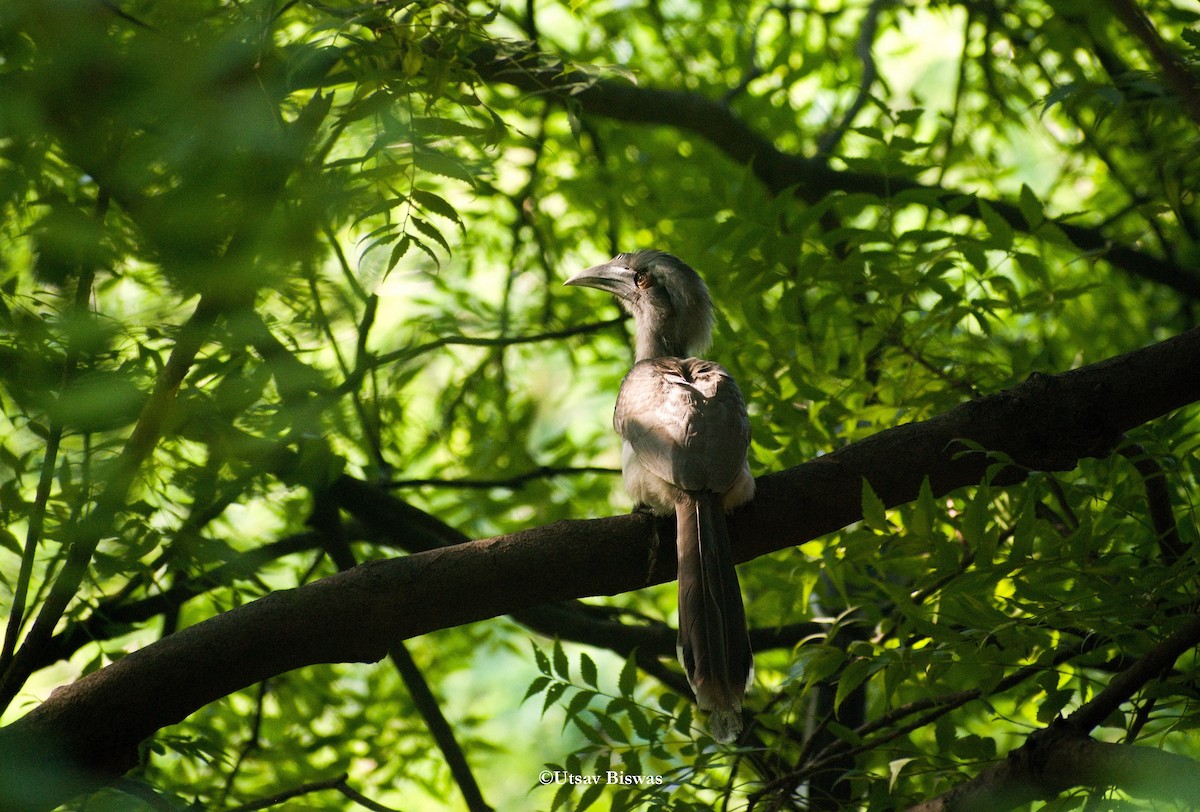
[{"x": 88, "y": 733}]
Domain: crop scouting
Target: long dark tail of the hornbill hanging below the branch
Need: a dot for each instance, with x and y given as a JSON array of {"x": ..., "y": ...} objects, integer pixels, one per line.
[{"x": 715, "y": 647}]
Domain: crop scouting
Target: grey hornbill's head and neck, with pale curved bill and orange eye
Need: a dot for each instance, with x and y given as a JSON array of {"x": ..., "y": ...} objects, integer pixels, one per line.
[{"x": 668, "y": 300}]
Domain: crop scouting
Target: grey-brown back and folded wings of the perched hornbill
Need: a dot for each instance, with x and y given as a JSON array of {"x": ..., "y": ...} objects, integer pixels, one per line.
[{"x": 686, "y": 422}]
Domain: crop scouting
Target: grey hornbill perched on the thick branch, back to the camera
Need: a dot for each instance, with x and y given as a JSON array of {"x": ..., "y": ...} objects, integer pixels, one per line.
[{"x": 686, "y": 436}]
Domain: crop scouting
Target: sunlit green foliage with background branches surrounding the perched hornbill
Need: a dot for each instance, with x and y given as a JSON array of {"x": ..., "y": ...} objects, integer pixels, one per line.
[{"x": 280, "y": 293}]
